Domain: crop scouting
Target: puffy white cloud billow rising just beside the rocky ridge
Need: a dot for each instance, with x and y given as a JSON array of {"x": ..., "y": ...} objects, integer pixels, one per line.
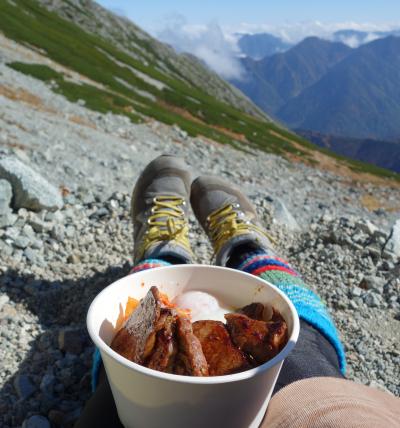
[{"x": 207, "y": 42}]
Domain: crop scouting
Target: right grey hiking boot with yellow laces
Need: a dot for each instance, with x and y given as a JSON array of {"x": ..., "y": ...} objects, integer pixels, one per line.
[{"x": 228, "y": 218}]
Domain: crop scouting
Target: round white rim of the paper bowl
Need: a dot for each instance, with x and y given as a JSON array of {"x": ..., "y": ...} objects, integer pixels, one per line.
[{"x": 206, "y": 380}]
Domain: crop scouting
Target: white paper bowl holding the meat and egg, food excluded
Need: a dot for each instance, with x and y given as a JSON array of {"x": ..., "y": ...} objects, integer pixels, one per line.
[{"x": 148, "y": 398}]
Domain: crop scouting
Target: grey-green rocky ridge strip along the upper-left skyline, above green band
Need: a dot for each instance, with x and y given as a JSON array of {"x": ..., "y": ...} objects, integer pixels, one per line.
[{"x": 122, "y": 32}]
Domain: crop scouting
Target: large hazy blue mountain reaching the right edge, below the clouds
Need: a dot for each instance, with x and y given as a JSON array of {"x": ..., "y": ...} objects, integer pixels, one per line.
[{"x": 358, "y": 98}]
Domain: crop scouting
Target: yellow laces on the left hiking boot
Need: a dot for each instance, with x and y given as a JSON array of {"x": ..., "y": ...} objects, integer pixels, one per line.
[{"x": 167, "y": 223}]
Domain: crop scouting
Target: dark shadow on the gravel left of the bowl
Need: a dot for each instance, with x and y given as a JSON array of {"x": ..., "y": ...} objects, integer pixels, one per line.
[{"x": 54, "y": 378}]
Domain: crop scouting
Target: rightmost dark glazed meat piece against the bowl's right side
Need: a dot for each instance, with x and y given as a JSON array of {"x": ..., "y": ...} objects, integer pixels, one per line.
[{"x": 262, "y": 340}]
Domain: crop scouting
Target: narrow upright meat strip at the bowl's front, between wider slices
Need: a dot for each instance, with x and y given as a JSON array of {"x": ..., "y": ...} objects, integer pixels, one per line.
[{"x": 190, "y": 359}]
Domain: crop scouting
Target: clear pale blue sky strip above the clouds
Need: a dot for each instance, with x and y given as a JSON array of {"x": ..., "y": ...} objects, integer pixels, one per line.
[{"x": 152, "y": 14}]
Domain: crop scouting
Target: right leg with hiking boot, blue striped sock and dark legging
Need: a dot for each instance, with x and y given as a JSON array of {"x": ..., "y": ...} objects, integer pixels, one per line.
[{"x": 240, "y": 242}]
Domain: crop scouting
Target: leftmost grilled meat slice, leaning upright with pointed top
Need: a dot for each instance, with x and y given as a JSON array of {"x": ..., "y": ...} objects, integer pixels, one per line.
[{"x": 137, "y": 337}]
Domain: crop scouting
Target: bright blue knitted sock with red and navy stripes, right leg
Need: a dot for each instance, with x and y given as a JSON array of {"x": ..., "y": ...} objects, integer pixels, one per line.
[{"x": 307, "y": 303}]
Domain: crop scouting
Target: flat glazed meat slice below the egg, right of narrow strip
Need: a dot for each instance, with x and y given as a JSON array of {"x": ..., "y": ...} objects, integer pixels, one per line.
[{"x": 221, "y": 354}]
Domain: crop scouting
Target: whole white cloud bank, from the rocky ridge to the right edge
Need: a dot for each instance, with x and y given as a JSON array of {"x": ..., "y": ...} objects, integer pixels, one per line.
[{"x": 217, "y": 47}]
